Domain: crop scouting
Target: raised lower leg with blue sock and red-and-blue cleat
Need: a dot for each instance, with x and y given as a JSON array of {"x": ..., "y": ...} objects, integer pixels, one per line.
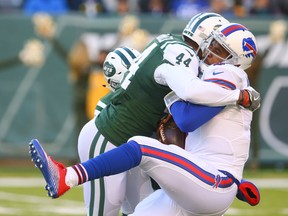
[{"x": 60, "y": 179}]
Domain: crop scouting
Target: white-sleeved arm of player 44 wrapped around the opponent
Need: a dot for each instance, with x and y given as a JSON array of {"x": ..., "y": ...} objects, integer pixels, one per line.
[{"x": 190, "y": 88}]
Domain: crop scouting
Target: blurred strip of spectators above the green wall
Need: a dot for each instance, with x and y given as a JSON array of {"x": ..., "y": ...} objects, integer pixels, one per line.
[{"x": 180, "y": 8}]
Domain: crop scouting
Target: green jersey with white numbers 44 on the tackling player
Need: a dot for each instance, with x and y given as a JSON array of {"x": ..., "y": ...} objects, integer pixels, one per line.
[{"x": 137, "y": 106}]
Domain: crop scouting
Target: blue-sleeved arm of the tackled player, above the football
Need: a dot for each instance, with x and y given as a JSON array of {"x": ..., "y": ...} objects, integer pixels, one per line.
[{"x": 189, "y": 117}]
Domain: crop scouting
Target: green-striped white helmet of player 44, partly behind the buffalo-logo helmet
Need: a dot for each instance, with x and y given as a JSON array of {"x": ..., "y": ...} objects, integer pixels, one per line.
[{"x": 201, "y": 25}]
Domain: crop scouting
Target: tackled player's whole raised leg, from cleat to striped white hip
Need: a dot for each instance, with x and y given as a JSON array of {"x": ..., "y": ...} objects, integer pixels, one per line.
[{"x": 163, "y": 162}]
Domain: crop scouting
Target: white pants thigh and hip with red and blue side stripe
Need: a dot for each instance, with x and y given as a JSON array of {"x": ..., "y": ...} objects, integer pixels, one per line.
[{"x": 188, "y": 180}]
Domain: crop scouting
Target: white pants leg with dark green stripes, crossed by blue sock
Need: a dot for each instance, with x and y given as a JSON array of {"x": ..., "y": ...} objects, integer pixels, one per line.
[{"x": 102, "y": 196}]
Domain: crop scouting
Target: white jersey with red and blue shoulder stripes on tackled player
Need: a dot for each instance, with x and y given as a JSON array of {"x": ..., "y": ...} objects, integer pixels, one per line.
[{"x": 225, "y": 139}]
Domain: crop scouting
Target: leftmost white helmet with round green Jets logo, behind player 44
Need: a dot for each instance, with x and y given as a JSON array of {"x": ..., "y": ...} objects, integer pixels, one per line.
[{"x": 116, "y": 64}]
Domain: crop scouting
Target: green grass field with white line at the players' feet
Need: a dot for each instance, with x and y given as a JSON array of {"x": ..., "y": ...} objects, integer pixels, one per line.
[{"x": 22, "y": 193}]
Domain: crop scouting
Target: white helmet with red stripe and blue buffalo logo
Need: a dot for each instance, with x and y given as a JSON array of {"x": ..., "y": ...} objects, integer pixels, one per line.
[{"x": 238, "y": 41}]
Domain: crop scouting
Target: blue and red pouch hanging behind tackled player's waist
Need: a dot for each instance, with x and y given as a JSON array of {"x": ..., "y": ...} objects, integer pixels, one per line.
[{"x": 247, "y": 191}]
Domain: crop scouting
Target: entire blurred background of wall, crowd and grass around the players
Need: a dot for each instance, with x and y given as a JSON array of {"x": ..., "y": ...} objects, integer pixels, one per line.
[{"x": 45, "y": 58}]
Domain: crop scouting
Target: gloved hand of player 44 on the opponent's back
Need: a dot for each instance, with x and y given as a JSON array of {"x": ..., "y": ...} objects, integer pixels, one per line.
[{"x": 249, "y": 98}]
